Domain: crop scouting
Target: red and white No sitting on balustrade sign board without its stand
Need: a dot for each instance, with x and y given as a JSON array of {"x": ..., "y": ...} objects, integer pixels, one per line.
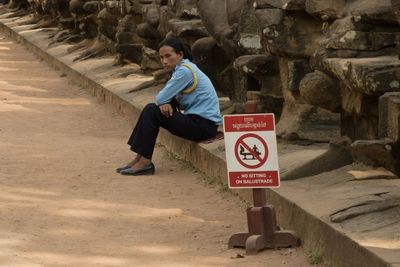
[{"x": 251, "y": 151}]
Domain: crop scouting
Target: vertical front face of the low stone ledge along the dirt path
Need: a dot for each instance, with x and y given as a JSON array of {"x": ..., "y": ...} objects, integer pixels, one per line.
[{"x": 336, "y": 248}]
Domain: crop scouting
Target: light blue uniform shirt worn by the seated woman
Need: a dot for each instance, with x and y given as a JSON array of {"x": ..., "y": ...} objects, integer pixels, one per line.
[{"x": 203, "y": 101}]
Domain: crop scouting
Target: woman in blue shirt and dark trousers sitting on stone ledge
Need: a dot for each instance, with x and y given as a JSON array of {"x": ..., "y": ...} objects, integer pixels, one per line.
[{"x": 190, "y": 89}]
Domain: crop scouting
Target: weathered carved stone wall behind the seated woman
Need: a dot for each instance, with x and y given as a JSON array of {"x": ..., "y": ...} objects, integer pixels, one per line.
[{"x": 326, "y": 68}]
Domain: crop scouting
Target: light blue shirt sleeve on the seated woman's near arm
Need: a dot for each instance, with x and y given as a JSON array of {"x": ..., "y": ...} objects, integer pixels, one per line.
[{"x": 181, "y": 79}]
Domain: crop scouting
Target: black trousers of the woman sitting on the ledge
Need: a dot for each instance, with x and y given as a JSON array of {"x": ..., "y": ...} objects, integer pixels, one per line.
[{"x": 191, "y": 127}]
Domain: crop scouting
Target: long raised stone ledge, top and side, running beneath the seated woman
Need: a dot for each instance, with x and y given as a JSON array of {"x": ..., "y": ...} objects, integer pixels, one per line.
[{"x": 351, "y": 214}]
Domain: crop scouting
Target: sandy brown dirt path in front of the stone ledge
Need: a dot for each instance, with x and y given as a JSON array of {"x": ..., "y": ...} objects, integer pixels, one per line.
[{"x": 62, "y": 204}]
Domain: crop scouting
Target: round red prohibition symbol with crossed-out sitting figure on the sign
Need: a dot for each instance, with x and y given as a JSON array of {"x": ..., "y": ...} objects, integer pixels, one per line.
[{"x": 251, "y": 151}]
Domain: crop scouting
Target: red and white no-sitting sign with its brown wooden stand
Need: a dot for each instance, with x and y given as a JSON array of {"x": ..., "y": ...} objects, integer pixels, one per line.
[{"x": 252, "y": 162}]
